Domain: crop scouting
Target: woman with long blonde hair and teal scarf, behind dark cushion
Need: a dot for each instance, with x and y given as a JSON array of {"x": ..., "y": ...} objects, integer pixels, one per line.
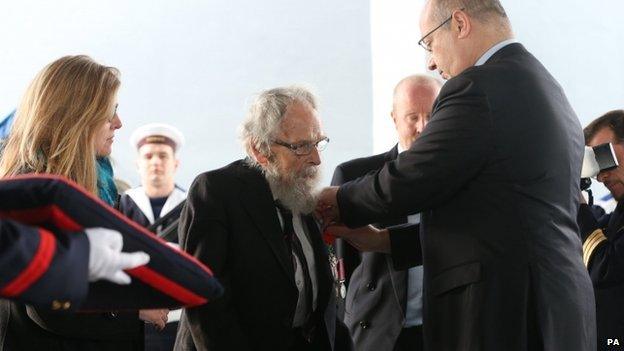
[{"x": 66, "y": 125}]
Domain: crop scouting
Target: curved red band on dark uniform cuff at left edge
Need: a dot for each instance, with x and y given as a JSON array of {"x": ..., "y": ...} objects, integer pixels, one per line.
[{"x": 35, "y": 269}]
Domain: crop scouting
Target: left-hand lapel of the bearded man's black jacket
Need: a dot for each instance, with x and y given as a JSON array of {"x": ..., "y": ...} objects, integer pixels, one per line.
[{"x": 258, "y": 202}]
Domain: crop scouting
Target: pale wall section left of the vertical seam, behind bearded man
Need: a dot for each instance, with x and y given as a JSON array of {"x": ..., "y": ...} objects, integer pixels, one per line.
[{"x": 196, "y": 64}]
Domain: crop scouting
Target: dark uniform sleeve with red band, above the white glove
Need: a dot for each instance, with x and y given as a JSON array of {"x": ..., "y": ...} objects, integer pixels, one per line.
[{"x": 41, "y": 268}]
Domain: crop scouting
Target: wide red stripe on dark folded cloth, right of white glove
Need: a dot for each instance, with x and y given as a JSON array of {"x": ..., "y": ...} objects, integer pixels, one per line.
[{"x": 167, "y": 286}]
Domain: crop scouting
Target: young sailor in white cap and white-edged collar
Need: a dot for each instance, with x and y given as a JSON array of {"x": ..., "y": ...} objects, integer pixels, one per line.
[{"x": 151, "y": 203}]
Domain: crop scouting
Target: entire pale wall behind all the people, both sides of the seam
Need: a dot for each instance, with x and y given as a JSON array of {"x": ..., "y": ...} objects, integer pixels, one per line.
[{"x": 196, "y": 64}]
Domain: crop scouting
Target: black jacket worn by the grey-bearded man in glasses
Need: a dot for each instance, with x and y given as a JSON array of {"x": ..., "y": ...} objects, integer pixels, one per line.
[{"x": 230, "y": 222}]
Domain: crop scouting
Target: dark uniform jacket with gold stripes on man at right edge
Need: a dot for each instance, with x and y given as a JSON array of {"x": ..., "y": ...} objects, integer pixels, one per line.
[{"x": 603, "y": 250}]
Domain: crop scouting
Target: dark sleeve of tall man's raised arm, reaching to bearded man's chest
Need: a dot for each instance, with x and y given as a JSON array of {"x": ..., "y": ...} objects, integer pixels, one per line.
[{"x": 451, "y": 151}]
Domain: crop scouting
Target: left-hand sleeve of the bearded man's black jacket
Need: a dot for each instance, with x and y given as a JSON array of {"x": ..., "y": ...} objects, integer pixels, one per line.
[{"x": 204, "y": 234}]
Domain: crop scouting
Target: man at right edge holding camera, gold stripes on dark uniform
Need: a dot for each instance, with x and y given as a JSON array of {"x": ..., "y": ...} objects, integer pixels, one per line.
[{"x": 603, "y": 239}]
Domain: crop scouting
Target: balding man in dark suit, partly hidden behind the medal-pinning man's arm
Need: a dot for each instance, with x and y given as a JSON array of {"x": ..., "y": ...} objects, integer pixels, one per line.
[{"x": 383, "y": 307}]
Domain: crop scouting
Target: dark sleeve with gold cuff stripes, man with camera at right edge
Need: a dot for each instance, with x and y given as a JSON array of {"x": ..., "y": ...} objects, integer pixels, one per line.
[{"x": 603, "y": 256}]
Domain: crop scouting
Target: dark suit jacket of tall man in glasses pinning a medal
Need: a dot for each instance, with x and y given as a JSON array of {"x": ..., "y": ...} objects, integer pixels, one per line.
[{"x": 495, "y": 176}]
